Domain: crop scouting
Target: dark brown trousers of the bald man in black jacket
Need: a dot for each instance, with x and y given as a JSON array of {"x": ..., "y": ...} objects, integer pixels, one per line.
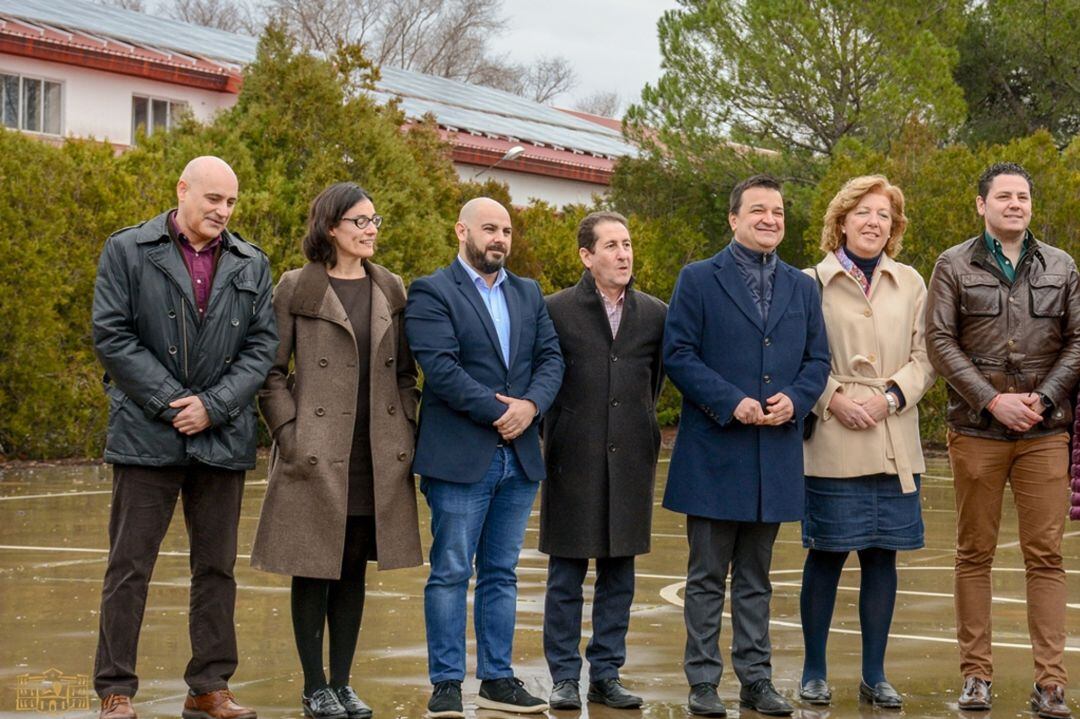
[{"x": 143, "y": 503}]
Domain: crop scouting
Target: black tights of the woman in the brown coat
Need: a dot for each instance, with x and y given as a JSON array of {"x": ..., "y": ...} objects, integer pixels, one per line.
[{"x": 337, "y": 604}]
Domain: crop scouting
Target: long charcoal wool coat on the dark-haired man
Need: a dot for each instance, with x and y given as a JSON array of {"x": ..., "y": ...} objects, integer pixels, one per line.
[{"x": 601, "y": 439}]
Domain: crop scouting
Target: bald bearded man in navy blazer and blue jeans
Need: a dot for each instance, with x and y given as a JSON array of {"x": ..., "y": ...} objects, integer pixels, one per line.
[{"x": 492, "y": 368}]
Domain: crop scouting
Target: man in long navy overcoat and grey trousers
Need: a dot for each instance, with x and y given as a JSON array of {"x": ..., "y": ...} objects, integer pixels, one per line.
[{"x": 746, "y": 345}]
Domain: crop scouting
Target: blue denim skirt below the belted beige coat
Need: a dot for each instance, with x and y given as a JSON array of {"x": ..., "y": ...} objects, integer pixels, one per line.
[{"x": 858, "y": 513}]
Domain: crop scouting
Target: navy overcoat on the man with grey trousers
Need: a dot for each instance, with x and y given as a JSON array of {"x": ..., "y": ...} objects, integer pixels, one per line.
[{"x": 719, "y": 351}]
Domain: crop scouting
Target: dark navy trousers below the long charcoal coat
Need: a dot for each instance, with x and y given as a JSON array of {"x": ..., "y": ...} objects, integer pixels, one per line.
[{"x": 562, "y": 617}]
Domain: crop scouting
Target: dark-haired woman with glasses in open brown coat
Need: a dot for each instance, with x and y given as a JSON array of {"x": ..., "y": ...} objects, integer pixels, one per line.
[{"x": 344, "y": 422}]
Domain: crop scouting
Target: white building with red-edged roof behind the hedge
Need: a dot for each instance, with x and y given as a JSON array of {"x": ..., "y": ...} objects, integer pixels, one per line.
[{"x": 75, "y": 69}]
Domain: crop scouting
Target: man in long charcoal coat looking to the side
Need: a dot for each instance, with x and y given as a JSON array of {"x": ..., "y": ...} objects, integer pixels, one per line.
[{"x": 601, "y": 445}]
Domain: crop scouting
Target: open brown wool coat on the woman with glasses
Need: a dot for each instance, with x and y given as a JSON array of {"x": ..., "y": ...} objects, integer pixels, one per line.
[{"x": 310, "y": 414}]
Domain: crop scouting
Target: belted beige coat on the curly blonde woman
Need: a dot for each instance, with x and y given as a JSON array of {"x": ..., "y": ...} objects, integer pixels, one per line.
[{"x": 875, "y": 342}]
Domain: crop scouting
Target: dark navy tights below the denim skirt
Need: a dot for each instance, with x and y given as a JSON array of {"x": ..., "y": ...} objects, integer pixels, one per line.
[{"x": 877, "y": 596}]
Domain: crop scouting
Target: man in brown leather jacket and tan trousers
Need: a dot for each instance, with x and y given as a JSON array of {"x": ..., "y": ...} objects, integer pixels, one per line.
[{"x": 1004, "y": 330}]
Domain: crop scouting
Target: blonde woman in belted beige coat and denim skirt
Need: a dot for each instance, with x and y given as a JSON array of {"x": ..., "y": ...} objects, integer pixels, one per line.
[{"x": 863, "y": 458}]
